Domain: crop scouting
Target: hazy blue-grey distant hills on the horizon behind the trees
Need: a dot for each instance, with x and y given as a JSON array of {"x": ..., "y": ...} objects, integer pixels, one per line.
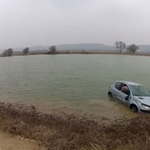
[{"x": 83, "y": 47}]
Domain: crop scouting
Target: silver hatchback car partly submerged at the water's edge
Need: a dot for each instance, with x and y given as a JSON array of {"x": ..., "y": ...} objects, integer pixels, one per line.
[{"x": 136, "y": 96}]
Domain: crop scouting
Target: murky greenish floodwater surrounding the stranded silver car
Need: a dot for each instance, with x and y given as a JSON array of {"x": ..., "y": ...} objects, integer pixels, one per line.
[{"x": 72, "y": 83}]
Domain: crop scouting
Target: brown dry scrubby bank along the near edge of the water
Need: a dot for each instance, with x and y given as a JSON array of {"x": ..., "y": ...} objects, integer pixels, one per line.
[{"x": 59, "y": 131}]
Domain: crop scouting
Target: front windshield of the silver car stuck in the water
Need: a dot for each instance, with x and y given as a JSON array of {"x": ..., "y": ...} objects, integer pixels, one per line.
[{"x": 139, "y": 90}]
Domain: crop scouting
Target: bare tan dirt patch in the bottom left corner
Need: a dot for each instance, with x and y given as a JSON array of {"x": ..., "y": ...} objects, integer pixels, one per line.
[{"x": 9, "y": 142}]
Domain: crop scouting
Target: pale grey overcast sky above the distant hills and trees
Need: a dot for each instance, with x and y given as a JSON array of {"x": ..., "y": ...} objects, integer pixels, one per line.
[{"x": 46, "y": 22}]
